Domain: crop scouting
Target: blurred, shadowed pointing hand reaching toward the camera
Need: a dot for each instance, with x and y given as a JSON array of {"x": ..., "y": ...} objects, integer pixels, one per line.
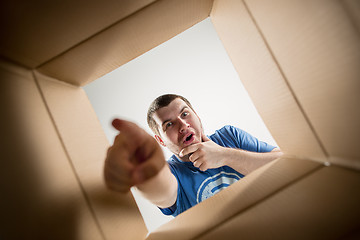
[{"x": 134, "y": 158}]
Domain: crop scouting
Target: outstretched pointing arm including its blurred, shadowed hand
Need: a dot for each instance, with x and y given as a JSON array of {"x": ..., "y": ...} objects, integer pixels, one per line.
[{"x": 136, "y": 159}]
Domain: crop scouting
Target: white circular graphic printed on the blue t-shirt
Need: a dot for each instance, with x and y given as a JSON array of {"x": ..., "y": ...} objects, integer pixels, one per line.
[{"x": 214, "y": 184}]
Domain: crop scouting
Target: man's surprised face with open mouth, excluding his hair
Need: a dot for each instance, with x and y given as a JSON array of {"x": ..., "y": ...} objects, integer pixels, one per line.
[{"x": 179, "y": 126}]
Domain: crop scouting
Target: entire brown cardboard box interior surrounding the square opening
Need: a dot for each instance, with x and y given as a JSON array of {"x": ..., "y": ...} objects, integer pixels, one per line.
[{"x": 299, "y": 61}]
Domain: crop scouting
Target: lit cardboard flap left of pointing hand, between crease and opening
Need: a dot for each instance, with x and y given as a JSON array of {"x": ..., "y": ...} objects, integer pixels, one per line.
[{"x": 87, "y": 152}]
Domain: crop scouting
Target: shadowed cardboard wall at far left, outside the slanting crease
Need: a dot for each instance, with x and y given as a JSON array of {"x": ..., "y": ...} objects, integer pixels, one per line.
[{"x": 41, "y": 196}]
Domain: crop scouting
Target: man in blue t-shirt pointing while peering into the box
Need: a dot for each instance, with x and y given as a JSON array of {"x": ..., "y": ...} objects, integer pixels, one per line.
[{"x": 200, "y": 167}]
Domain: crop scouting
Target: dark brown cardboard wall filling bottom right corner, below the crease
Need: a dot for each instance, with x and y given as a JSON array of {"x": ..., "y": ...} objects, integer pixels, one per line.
[{"x": 312, "y": 208}]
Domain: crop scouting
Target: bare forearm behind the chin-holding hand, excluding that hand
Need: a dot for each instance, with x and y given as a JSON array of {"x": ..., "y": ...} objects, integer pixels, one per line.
[{"x": 245, "y": 162}]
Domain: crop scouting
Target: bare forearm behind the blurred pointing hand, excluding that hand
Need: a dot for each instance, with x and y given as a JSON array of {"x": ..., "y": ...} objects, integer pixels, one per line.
[{"x": 161, "y": 190}]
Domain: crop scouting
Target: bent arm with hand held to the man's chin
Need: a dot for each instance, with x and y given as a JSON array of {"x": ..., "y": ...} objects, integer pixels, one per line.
[{"x": 208, "y": 154}]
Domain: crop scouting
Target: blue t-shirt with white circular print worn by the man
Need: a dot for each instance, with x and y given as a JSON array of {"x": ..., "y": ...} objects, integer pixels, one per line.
[{"x": 195, "y": 185}]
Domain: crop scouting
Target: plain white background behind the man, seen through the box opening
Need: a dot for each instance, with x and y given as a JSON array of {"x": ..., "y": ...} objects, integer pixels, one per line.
[{"x": 193, "y": 64}]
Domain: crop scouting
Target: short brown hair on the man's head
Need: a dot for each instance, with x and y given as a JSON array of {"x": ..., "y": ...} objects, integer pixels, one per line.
[{"x": 160, "y": 102}]
